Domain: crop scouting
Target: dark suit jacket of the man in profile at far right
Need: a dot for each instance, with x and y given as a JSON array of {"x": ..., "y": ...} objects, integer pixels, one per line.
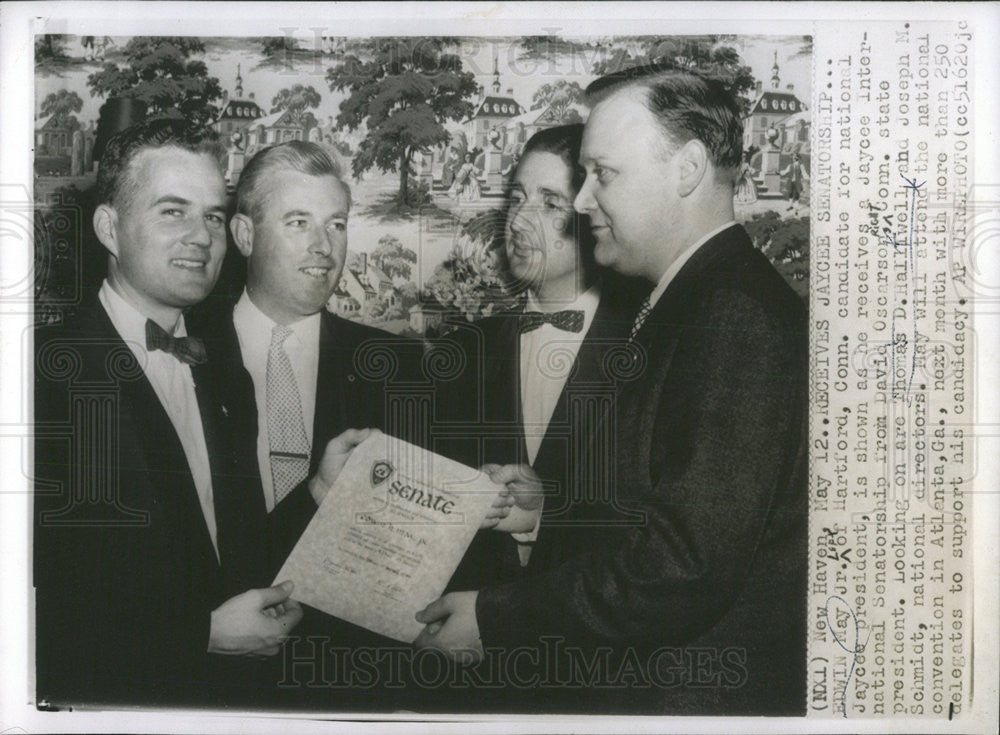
[{"x": 703, "y": 593}]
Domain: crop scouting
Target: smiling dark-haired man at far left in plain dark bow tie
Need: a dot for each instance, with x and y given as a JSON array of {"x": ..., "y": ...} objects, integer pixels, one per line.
[{"x": 149, "y": 515}]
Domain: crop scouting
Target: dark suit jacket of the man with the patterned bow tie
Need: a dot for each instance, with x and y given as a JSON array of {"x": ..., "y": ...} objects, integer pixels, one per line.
[{"x": 483, "y": 411}]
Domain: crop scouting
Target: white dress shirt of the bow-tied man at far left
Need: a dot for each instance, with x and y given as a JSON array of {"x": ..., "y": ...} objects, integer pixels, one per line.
[{"x": 174, "y": 386}]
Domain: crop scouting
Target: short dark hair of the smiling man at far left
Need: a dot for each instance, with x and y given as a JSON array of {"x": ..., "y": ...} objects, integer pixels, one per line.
[{"x": 115, "y": 183}]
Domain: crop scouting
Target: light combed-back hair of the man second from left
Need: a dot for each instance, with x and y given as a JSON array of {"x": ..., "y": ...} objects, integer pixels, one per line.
[{"x": 304, "y": 157}]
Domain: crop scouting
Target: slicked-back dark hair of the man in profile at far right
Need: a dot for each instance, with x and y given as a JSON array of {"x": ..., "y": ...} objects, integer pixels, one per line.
[{"x": 687, "y": 106}]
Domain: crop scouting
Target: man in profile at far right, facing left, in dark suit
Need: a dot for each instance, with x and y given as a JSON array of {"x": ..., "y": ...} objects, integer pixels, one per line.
[{"x": 702, "y": 602}]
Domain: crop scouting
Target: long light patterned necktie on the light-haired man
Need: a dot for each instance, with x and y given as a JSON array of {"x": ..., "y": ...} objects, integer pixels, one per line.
[{"x": 289, "y": 446}]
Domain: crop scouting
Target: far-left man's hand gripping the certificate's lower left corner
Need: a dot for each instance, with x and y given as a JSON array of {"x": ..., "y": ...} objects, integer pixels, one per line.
[{"x": 255, "y": 622}]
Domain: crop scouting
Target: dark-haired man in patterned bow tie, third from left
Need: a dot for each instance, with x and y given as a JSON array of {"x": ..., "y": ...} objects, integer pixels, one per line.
[{"x": 535, "y": 377}]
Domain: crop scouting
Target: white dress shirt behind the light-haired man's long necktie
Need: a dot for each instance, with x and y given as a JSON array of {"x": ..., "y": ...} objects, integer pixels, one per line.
[{"x": 253, "y": 327}]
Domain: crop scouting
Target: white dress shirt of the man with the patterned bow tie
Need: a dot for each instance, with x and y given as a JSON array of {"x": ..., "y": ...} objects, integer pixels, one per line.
[{"x": 547, "y": 358}]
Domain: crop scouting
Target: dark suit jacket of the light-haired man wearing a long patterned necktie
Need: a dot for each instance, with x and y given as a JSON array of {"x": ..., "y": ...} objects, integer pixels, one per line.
[{"x": 366, "y": 377}]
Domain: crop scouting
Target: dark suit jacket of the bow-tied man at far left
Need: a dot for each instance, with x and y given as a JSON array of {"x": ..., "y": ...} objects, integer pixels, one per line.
[{"x": 125, "y": 573}]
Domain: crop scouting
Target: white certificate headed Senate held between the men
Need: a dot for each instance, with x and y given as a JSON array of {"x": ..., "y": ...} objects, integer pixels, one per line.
[{"x": 388, "y": 536}]
